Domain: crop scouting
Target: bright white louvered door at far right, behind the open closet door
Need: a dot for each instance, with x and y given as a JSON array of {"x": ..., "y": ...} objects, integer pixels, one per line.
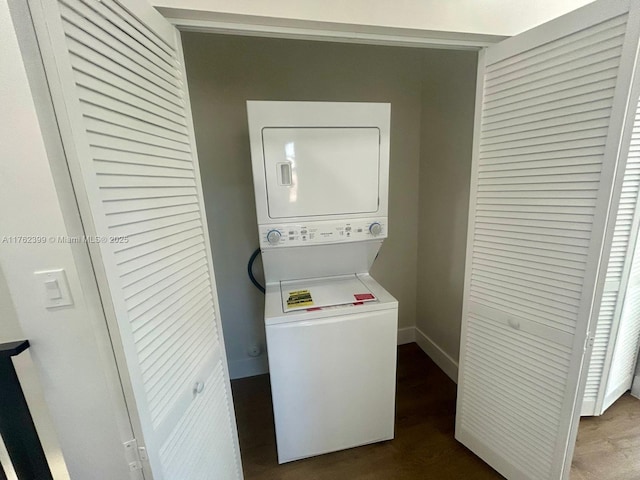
[{"x": 616, "y": 335}]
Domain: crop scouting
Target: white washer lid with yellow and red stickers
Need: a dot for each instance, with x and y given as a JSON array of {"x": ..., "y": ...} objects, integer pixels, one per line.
[{"x": 323, "y": 292}]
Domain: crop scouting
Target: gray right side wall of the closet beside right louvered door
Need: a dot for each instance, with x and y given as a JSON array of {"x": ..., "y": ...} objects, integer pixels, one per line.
[{"x": 445, "y": 172}]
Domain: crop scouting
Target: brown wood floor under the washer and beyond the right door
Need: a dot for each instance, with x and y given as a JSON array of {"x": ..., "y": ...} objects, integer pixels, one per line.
[{"x": 424, "y": 447}]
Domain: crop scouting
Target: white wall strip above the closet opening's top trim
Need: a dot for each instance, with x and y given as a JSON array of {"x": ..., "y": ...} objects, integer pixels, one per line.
[{"x": 490, "y": 17}]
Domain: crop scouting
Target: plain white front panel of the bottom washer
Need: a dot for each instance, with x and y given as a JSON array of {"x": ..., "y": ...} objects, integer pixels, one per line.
[{"x": 333, "y": 382}]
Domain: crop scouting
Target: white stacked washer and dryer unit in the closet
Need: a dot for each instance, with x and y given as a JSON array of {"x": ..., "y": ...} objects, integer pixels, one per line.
[{"x": 321, "y": 173}]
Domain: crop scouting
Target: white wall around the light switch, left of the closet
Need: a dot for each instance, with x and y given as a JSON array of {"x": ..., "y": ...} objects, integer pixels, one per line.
[{"x": 68, "y": 374}]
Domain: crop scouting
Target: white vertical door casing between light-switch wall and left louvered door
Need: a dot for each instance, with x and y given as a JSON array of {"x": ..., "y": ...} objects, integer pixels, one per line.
[{"x": 125, "y": 417}]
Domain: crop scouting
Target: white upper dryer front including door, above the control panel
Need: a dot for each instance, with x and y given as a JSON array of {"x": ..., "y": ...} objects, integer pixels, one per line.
[{"x": 307, "y": 160}]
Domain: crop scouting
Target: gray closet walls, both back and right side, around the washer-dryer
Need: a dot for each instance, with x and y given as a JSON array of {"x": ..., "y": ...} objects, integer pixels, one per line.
[{"x": 225, "y": 71}]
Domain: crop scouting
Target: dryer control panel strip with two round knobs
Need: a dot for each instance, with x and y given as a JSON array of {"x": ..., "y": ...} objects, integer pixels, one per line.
[{"x": 316, "y": 233}]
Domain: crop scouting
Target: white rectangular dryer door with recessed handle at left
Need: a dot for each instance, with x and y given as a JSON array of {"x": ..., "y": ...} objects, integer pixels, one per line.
[{"x": 321, "y": 171}]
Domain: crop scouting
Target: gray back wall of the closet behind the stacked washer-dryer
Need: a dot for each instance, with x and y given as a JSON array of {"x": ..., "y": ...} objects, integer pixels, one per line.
[{"x": 225, "y": 71}]
